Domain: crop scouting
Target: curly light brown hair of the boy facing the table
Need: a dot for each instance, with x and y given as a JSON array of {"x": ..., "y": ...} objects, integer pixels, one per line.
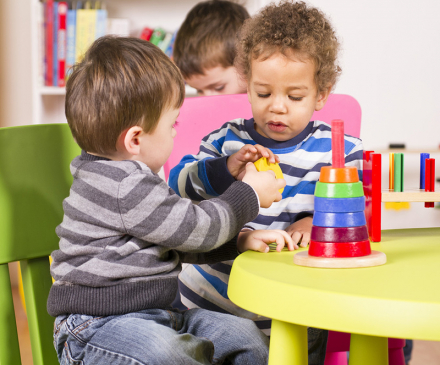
[{"x": 290, "y": 27}]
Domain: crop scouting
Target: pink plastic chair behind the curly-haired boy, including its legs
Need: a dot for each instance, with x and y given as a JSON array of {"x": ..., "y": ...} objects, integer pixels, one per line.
[{"x": 201, "y": 115}]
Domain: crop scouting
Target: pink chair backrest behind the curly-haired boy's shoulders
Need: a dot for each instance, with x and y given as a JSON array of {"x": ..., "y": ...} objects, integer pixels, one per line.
[{"x": 201, "y": 115}]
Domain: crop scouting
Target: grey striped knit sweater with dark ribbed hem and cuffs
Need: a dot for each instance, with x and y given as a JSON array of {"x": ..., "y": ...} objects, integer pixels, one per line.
[{"x": 125, "y": 232}]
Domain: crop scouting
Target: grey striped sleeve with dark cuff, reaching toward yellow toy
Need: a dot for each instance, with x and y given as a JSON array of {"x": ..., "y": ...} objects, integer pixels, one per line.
[{"x": 154, "y": 214}]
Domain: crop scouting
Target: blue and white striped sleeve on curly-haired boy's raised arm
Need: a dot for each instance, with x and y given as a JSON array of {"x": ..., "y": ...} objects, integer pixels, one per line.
[{"x": 205, "y": 175}]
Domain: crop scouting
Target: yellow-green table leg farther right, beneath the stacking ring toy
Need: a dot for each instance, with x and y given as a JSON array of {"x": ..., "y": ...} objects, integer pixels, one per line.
[{"x": 368, "y": 350}]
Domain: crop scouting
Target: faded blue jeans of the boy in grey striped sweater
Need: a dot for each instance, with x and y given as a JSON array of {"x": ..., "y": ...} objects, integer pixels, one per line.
[{"x": 162, "y": 337}]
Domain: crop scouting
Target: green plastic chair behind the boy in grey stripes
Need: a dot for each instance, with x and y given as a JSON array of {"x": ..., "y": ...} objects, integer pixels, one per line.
[{"x": 34, "y": 180}]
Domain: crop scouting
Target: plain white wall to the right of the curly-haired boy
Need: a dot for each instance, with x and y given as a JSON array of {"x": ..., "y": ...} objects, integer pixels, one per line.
[{"x": 391, "y": 64}]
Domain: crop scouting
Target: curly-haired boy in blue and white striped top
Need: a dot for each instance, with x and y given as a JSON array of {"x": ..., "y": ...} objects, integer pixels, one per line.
[{"x": 287, "y": 54}]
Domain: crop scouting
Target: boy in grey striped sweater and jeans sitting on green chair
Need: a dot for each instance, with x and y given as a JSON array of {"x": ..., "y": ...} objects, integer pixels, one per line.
[{"x": 125, "y": 232}]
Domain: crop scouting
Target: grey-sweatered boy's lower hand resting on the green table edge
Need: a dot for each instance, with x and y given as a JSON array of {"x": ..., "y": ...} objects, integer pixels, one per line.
[{"x": 258, "y": 240}]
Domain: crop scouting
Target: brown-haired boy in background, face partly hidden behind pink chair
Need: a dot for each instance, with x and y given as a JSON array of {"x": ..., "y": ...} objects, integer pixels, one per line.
[{"x": 204, "y": 49}]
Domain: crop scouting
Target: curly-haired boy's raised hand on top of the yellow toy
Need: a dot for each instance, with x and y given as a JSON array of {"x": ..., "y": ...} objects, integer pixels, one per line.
[{"x": 248, "y": 153}]
